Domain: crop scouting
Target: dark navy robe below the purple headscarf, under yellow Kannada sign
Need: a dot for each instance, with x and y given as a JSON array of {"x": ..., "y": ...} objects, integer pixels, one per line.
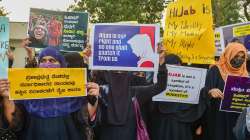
[{"x": 58, "y": 128}]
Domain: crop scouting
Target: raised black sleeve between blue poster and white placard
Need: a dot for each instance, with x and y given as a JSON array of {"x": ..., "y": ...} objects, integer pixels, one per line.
[{"x": 145, "y": 93}]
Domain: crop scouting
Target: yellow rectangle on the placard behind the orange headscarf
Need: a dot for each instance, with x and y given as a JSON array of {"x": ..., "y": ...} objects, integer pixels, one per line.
[{"x": 243, "y": 30}]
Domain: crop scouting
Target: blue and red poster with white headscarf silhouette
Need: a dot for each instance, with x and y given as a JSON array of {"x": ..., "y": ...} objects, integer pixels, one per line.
[{"x": 129, "y": 47}]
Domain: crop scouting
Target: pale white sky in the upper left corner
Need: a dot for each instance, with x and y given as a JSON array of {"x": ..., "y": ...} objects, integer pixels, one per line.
[{"x": 19, "y": 9}]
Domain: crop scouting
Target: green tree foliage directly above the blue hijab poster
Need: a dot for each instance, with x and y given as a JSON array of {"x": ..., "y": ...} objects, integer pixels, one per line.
[{"x": 143, "y": 11}]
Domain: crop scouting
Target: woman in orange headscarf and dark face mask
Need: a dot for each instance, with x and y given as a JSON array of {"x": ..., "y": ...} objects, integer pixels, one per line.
[{"x": 219, "y": 125}]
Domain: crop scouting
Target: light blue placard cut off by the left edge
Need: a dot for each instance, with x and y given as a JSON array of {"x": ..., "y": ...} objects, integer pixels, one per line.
[{"x": 4, "y": 46}]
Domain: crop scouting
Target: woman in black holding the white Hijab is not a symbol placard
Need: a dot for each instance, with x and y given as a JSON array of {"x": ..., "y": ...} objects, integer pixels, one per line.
[{"x": 174, "y": 121}]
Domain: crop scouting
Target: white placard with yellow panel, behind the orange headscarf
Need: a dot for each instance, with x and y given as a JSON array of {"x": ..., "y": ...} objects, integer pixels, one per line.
[{"x": 236, "y": 32}]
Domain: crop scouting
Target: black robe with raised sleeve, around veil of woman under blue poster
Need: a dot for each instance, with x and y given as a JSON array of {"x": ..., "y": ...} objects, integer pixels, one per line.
[{"x": 127, "y": 130}]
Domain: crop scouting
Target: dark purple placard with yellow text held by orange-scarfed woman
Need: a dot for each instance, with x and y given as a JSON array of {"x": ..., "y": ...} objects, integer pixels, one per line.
[{"x": 236, "y": 94}]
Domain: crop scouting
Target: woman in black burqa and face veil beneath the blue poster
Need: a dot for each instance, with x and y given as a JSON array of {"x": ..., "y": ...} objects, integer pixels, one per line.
[{"x": 118, "y": 116}]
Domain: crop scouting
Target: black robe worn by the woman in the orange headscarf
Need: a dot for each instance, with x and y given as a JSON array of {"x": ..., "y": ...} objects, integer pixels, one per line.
[{"x": 218, "y": 125}]
